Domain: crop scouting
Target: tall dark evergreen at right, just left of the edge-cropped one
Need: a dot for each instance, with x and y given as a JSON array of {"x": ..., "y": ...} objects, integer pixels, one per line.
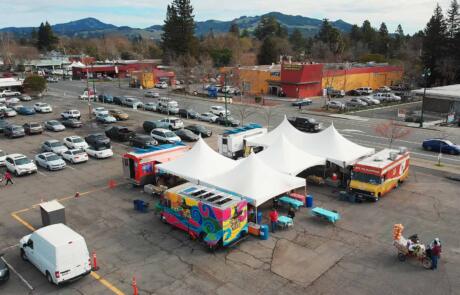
[{"x": 434, "y": 45}]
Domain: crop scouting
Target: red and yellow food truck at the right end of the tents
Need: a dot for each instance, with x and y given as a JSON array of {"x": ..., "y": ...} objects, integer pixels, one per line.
[{"x": 378, "y": 174}]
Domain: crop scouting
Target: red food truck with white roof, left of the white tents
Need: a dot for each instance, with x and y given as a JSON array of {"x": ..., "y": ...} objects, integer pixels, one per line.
[{"x": 139, "y": 164}]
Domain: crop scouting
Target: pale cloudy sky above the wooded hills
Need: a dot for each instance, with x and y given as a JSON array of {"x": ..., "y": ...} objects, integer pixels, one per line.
[{"x": 411, "y": 14}]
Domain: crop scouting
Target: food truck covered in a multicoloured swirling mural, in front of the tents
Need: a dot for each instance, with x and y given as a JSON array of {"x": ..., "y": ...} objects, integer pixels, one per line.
[{"x": 215, "y": 217}]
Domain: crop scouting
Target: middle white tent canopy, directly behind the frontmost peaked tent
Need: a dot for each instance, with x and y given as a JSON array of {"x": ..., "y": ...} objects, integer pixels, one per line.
[{"x": 288, "y": 158}]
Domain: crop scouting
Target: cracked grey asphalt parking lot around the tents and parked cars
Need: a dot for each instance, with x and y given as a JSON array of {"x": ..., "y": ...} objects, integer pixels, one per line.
[{"x": 355, "y": 256}]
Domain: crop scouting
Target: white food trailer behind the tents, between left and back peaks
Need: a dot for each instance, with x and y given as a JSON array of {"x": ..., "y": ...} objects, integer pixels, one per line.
[{"x": 232, "y": 143}]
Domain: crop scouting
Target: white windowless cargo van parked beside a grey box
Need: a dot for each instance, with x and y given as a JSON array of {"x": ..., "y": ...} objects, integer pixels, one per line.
[{"x": 58, "y": 252}]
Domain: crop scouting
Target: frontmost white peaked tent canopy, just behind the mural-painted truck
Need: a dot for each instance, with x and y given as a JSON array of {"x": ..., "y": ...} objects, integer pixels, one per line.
[{"x": 255, "y": 181}]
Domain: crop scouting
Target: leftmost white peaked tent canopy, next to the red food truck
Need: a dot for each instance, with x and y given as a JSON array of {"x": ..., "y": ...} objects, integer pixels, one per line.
[{"x": 198, "y": 163}]
